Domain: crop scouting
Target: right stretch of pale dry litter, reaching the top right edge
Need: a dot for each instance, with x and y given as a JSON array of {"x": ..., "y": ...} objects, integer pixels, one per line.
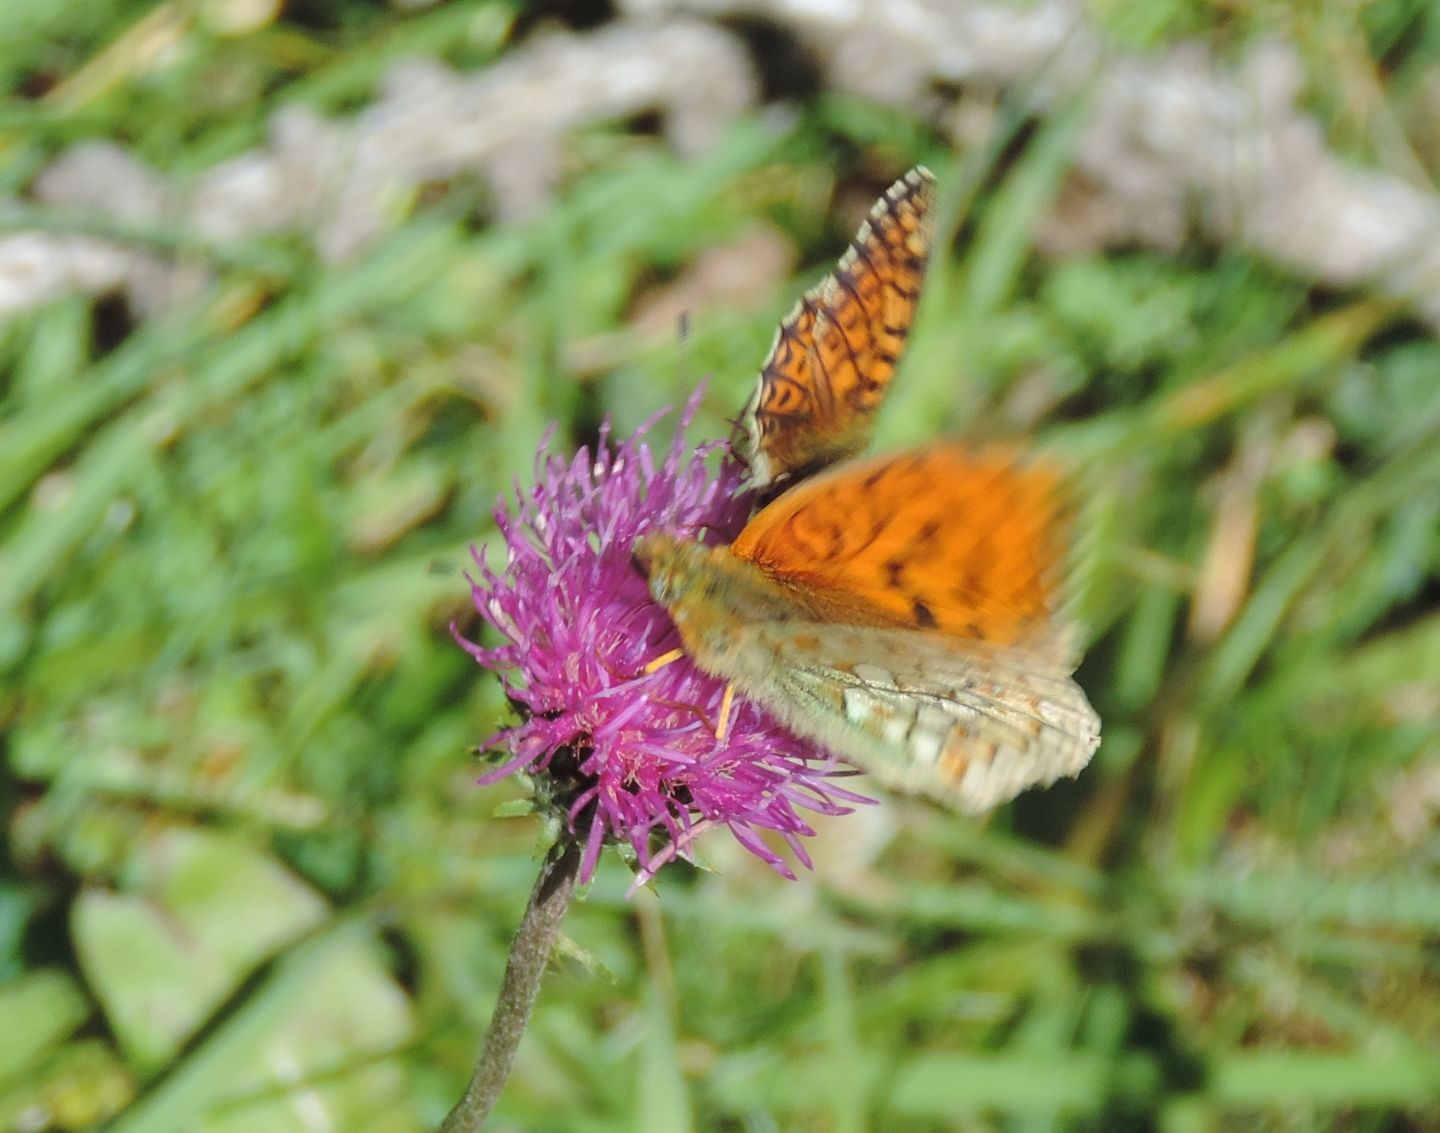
[{"x": 1164, "y": 135}]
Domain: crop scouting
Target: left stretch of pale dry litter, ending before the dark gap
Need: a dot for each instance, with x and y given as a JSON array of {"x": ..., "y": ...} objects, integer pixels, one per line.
[{"x": 339, "y": 178}]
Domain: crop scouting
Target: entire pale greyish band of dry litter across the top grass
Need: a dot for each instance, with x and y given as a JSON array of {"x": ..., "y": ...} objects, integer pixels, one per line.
[{"x": 1169, "y": 140}]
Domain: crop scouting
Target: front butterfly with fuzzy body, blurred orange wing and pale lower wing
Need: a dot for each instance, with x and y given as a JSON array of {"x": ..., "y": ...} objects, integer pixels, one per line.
[{"x": 906, "y": 614}]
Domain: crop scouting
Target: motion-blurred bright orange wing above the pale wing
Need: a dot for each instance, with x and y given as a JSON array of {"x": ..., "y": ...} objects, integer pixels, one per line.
[{"x": 968, "y": 543}]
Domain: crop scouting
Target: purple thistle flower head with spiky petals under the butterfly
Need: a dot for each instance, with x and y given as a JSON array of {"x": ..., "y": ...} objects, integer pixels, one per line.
[{"x": 624, "y": 754}]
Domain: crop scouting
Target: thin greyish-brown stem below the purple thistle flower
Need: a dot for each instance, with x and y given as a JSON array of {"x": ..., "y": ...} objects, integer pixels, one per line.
[{"x": 529, "y": 954}]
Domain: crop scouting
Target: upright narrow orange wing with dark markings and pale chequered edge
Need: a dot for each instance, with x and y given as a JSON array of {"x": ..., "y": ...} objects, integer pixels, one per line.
[{"x": 836, "y": 353}]
